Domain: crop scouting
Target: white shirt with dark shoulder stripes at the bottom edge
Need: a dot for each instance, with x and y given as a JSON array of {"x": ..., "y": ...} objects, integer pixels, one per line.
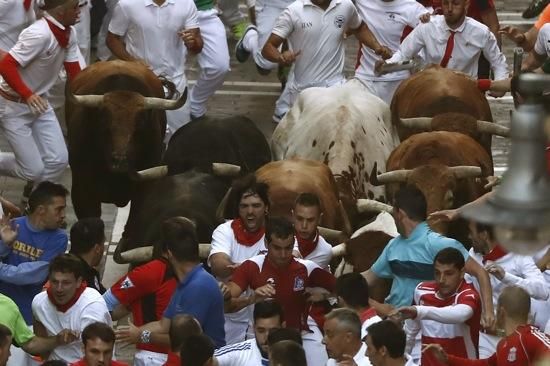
[{"x": 244, "y": 353}]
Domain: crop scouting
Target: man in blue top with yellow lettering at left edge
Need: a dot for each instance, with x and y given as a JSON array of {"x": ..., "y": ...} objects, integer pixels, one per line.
[{"x": 29, "y": 243}]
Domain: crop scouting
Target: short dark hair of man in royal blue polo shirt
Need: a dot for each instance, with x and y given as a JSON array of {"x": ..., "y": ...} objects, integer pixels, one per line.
[{"x": 179, "y": 236}]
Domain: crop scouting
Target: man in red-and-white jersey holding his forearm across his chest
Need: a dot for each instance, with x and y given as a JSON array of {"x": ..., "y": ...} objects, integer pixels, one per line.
[{"x": 447, "y": 310}]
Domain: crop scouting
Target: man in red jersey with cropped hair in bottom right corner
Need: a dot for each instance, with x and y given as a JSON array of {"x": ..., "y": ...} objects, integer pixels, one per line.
[{"x": 523, "y": 345}]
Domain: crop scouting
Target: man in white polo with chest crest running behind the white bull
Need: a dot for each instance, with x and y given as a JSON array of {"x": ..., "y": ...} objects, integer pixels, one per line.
[{"x": 315, "y": 31}]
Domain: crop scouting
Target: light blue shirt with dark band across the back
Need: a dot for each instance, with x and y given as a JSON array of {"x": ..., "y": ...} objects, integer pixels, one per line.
[{"x": 409, "y": 261}]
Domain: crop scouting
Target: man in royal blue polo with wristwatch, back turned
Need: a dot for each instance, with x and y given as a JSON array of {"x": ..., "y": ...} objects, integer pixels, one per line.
[{"x": 198, "y": 293}]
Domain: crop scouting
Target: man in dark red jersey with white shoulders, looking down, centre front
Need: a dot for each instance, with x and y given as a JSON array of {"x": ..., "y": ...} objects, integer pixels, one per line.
[{"x": 280, "y": 276}]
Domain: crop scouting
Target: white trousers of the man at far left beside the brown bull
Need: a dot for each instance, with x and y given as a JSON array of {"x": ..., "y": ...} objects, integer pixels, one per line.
[{"x": 39, "y": 150}]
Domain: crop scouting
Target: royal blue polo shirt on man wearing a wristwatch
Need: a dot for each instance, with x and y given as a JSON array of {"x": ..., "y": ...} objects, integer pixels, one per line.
[{"x": 199, "y": 295}]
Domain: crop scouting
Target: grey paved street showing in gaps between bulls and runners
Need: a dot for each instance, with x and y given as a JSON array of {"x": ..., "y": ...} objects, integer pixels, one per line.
[{"x": 247, "y": 93}]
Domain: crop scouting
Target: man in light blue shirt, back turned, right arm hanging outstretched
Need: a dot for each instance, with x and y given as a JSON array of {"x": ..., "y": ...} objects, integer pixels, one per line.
[{"x": 408, "y": 258}]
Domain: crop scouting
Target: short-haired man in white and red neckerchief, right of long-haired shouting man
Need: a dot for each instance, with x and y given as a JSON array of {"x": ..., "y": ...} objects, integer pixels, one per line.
[{"x": 306, "y": 216}]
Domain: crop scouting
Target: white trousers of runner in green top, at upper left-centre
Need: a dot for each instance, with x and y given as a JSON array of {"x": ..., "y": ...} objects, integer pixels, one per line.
[{"x": 213, "y": 61}]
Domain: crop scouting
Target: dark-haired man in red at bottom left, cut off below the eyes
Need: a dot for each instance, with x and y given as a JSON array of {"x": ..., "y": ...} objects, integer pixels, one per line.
[{"x": 98, "y": 340}]
